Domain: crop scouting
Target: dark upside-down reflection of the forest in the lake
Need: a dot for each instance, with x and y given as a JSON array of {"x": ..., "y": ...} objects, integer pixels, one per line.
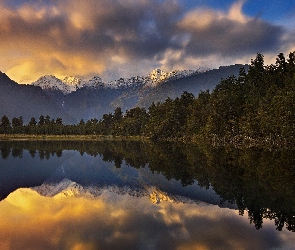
[{"x": 259, "y": 181}]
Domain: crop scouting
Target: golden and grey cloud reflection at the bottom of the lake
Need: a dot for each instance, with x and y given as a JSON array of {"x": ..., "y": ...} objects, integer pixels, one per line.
[{"x": 113, "y": 221}]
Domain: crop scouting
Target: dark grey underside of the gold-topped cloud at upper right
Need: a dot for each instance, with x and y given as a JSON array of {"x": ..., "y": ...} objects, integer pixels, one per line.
[{"x": 229, "y": 38}]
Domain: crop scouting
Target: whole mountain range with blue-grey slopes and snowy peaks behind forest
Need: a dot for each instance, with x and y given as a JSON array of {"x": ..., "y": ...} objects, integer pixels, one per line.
[{"x": 74, "y": 99}]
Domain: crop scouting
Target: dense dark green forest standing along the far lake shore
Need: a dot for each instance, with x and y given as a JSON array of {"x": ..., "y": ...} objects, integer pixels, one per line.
[{"x": 256, "y": 105}]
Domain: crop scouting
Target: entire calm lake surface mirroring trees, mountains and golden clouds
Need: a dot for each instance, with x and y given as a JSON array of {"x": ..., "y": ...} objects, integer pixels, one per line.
[{"x": 127, "y": 195}]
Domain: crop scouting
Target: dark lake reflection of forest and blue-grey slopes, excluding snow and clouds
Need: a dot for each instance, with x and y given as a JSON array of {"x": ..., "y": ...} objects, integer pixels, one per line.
[{"x": 258, "y": 181}]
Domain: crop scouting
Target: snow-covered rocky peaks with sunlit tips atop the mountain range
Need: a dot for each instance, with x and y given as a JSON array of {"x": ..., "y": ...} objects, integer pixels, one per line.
[{"x": 70, "y": 84}]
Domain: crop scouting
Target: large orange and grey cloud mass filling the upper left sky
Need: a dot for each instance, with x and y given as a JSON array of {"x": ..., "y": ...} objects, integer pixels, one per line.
[{"x": 83, "y": 37}]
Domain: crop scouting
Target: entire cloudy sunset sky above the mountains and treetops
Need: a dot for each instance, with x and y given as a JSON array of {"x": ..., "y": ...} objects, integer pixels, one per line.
[{"x": 123, "y": 38}]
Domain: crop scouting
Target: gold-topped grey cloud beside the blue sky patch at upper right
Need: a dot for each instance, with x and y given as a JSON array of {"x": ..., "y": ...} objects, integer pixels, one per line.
[{"x": 228, "y": 35}]
